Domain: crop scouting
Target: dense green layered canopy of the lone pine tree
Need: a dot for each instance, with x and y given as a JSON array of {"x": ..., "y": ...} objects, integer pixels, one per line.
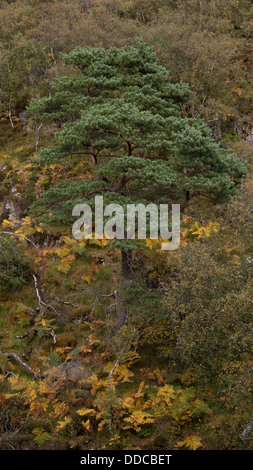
[{"x": 118, "y": 108}]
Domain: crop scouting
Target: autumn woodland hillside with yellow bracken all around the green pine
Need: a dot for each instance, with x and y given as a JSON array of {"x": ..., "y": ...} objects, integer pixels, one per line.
[{"x": 178, "y": 374}]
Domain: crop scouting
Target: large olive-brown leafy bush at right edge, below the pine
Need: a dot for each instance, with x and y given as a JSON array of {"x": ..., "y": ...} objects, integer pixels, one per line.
[{"x": 209, "y": 305}]
